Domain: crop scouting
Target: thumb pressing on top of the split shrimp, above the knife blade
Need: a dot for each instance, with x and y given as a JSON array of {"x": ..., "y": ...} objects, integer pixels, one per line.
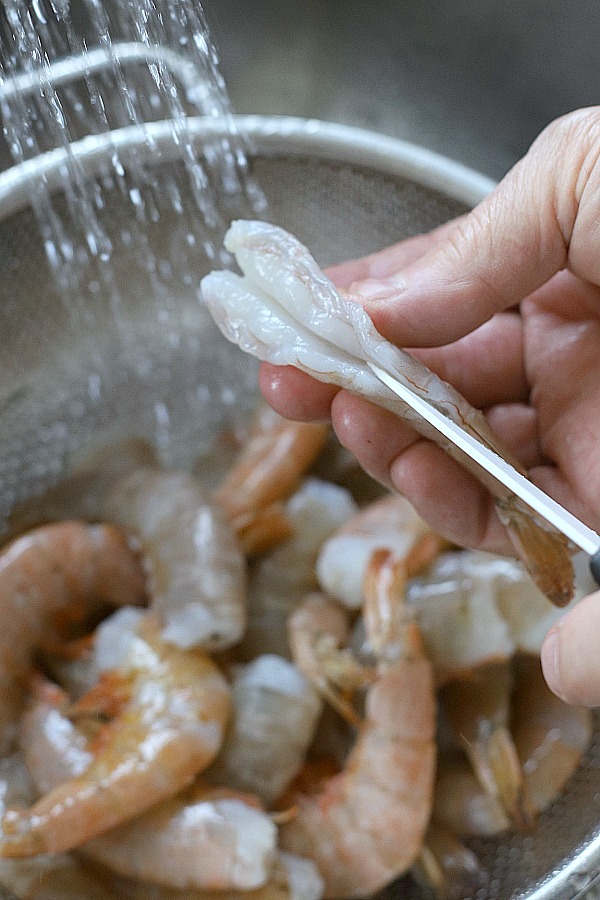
[{"x": 509, "y": 245}]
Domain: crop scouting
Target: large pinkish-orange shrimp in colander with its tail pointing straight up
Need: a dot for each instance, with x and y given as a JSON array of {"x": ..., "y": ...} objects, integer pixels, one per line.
[{"x": 366, "y": 825}]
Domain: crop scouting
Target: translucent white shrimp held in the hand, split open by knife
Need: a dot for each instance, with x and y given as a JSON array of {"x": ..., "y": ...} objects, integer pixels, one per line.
[{"x": 286, "y": 311}]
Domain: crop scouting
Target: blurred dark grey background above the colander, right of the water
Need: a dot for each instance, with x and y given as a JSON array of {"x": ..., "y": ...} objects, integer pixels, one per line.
[{"x": 475, "y": 80}]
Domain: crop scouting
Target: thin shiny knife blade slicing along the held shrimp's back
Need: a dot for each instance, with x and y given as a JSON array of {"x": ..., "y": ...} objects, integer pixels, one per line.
[{"x": 577, "y": 532}]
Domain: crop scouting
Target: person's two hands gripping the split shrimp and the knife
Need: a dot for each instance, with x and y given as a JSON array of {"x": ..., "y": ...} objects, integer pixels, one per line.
[{"x": 451, "y": 297}]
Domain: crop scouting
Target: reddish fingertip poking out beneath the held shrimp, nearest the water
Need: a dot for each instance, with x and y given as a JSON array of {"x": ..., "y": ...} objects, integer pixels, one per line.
[{"x": 294, "y": 394}]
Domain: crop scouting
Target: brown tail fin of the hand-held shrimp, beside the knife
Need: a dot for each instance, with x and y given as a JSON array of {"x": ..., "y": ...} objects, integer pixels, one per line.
[{"x": 544, "y": 553}]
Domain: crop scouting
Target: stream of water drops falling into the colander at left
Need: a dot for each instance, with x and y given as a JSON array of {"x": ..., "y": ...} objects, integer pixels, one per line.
[{"x": 127, "y": 244}]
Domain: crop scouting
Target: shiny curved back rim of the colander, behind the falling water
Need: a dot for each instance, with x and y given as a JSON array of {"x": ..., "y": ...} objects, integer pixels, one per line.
[{"x": 267, "y": 135}]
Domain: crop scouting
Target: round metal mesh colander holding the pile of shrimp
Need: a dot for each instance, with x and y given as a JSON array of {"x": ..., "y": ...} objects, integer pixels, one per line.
[{"x": 154, "y": 365}]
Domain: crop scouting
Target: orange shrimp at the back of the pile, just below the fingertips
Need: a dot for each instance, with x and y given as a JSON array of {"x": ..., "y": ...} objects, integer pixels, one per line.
[{"x": 272, "y": 462}]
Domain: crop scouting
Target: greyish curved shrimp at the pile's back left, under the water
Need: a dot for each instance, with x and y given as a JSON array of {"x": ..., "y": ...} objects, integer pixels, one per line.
[{"x": 197, "y": 571}]
